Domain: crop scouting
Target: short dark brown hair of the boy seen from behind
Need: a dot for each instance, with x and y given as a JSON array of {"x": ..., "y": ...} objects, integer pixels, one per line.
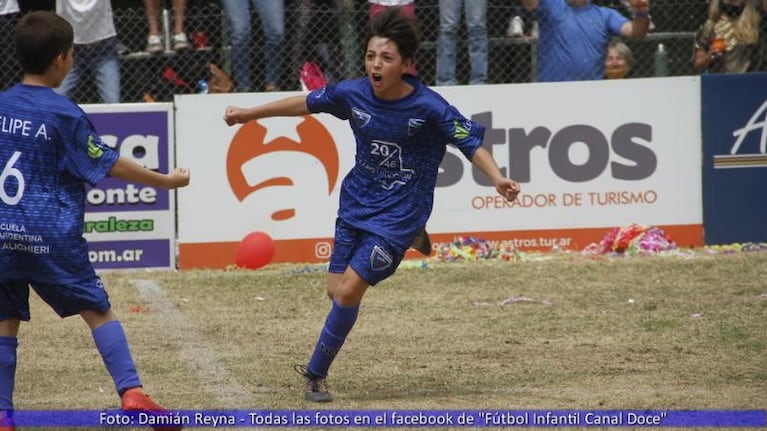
[{"x": 41, "y": 36}]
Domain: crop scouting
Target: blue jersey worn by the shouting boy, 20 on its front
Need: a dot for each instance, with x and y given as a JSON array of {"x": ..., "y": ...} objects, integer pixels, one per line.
[{"x": 399, "y": 147}]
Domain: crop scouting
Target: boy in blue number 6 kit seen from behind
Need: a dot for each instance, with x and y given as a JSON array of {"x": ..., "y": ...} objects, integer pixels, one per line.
[{"x": 48, "y": 151}]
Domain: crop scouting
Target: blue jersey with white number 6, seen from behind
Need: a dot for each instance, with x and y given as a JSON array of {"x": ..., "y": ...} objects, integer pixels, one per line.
[{"x": 48, "y": 151}]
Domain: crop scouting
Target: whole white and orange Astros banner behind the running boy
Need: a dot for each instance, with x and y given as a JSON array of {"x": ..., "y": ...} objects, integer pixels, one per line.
[{"x": 589, "y": 156}]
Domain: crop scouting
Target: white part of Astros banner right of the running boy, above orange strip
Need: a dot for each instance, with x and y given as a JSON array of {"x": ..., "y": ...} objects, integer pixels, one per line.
[{"x": 588, "y": 154}]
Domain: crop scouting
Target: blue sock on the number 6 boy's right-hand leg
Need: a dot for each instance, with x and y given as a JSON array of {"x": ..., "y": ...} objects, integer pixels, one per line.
[{"x": 113, "y": 346}]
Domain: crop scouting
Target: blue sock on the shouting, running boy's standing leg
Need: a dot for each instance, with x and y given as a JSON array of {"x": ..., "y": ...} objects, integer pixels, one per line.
[{"x": 337, "y": 326}]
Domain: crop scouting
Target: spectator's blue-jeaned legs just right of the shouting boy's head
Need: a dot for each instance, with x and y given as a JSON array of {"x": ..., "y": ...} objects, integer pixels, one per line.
[{"x": 475, "y": 12}]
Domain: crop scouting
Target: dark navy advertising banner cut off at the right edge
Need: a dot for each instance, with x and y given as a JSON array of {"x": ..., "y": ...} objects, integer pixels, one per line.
[{"x": 734, "y": 118}]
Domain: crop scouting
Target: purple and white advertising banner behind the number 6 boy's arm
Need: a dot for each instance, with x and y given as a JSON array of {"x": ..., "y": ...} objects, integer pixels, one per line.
[{"x": 131, "y": 225}]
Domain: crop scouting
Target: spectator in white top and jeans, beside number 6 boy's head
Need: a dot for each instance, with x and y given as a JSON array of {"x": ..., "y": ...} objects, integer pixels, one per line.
[{"x": 95, "y": 48}]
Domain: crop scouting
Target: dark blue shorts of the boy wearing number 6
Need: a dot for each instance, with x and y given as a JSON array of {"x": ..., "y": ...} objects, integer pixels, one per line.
[{"x": 65, "y": 299}]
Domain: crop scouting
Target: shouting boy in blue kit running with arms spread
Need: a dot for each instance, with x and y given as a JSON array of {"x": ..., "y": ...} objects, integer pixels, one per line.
[{"x": 401, "y": 129}]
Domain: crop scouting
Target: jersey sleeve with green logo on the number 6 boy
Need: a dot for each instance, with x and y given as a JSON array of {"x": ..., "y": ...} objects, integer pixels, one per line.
[{"x": 87, "y": 157}]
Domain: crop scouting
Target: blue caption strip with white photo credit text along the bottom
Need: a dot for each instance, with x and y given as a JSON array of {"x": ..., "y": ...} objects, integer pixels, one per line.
[{"x": 397, "y": 418}]
